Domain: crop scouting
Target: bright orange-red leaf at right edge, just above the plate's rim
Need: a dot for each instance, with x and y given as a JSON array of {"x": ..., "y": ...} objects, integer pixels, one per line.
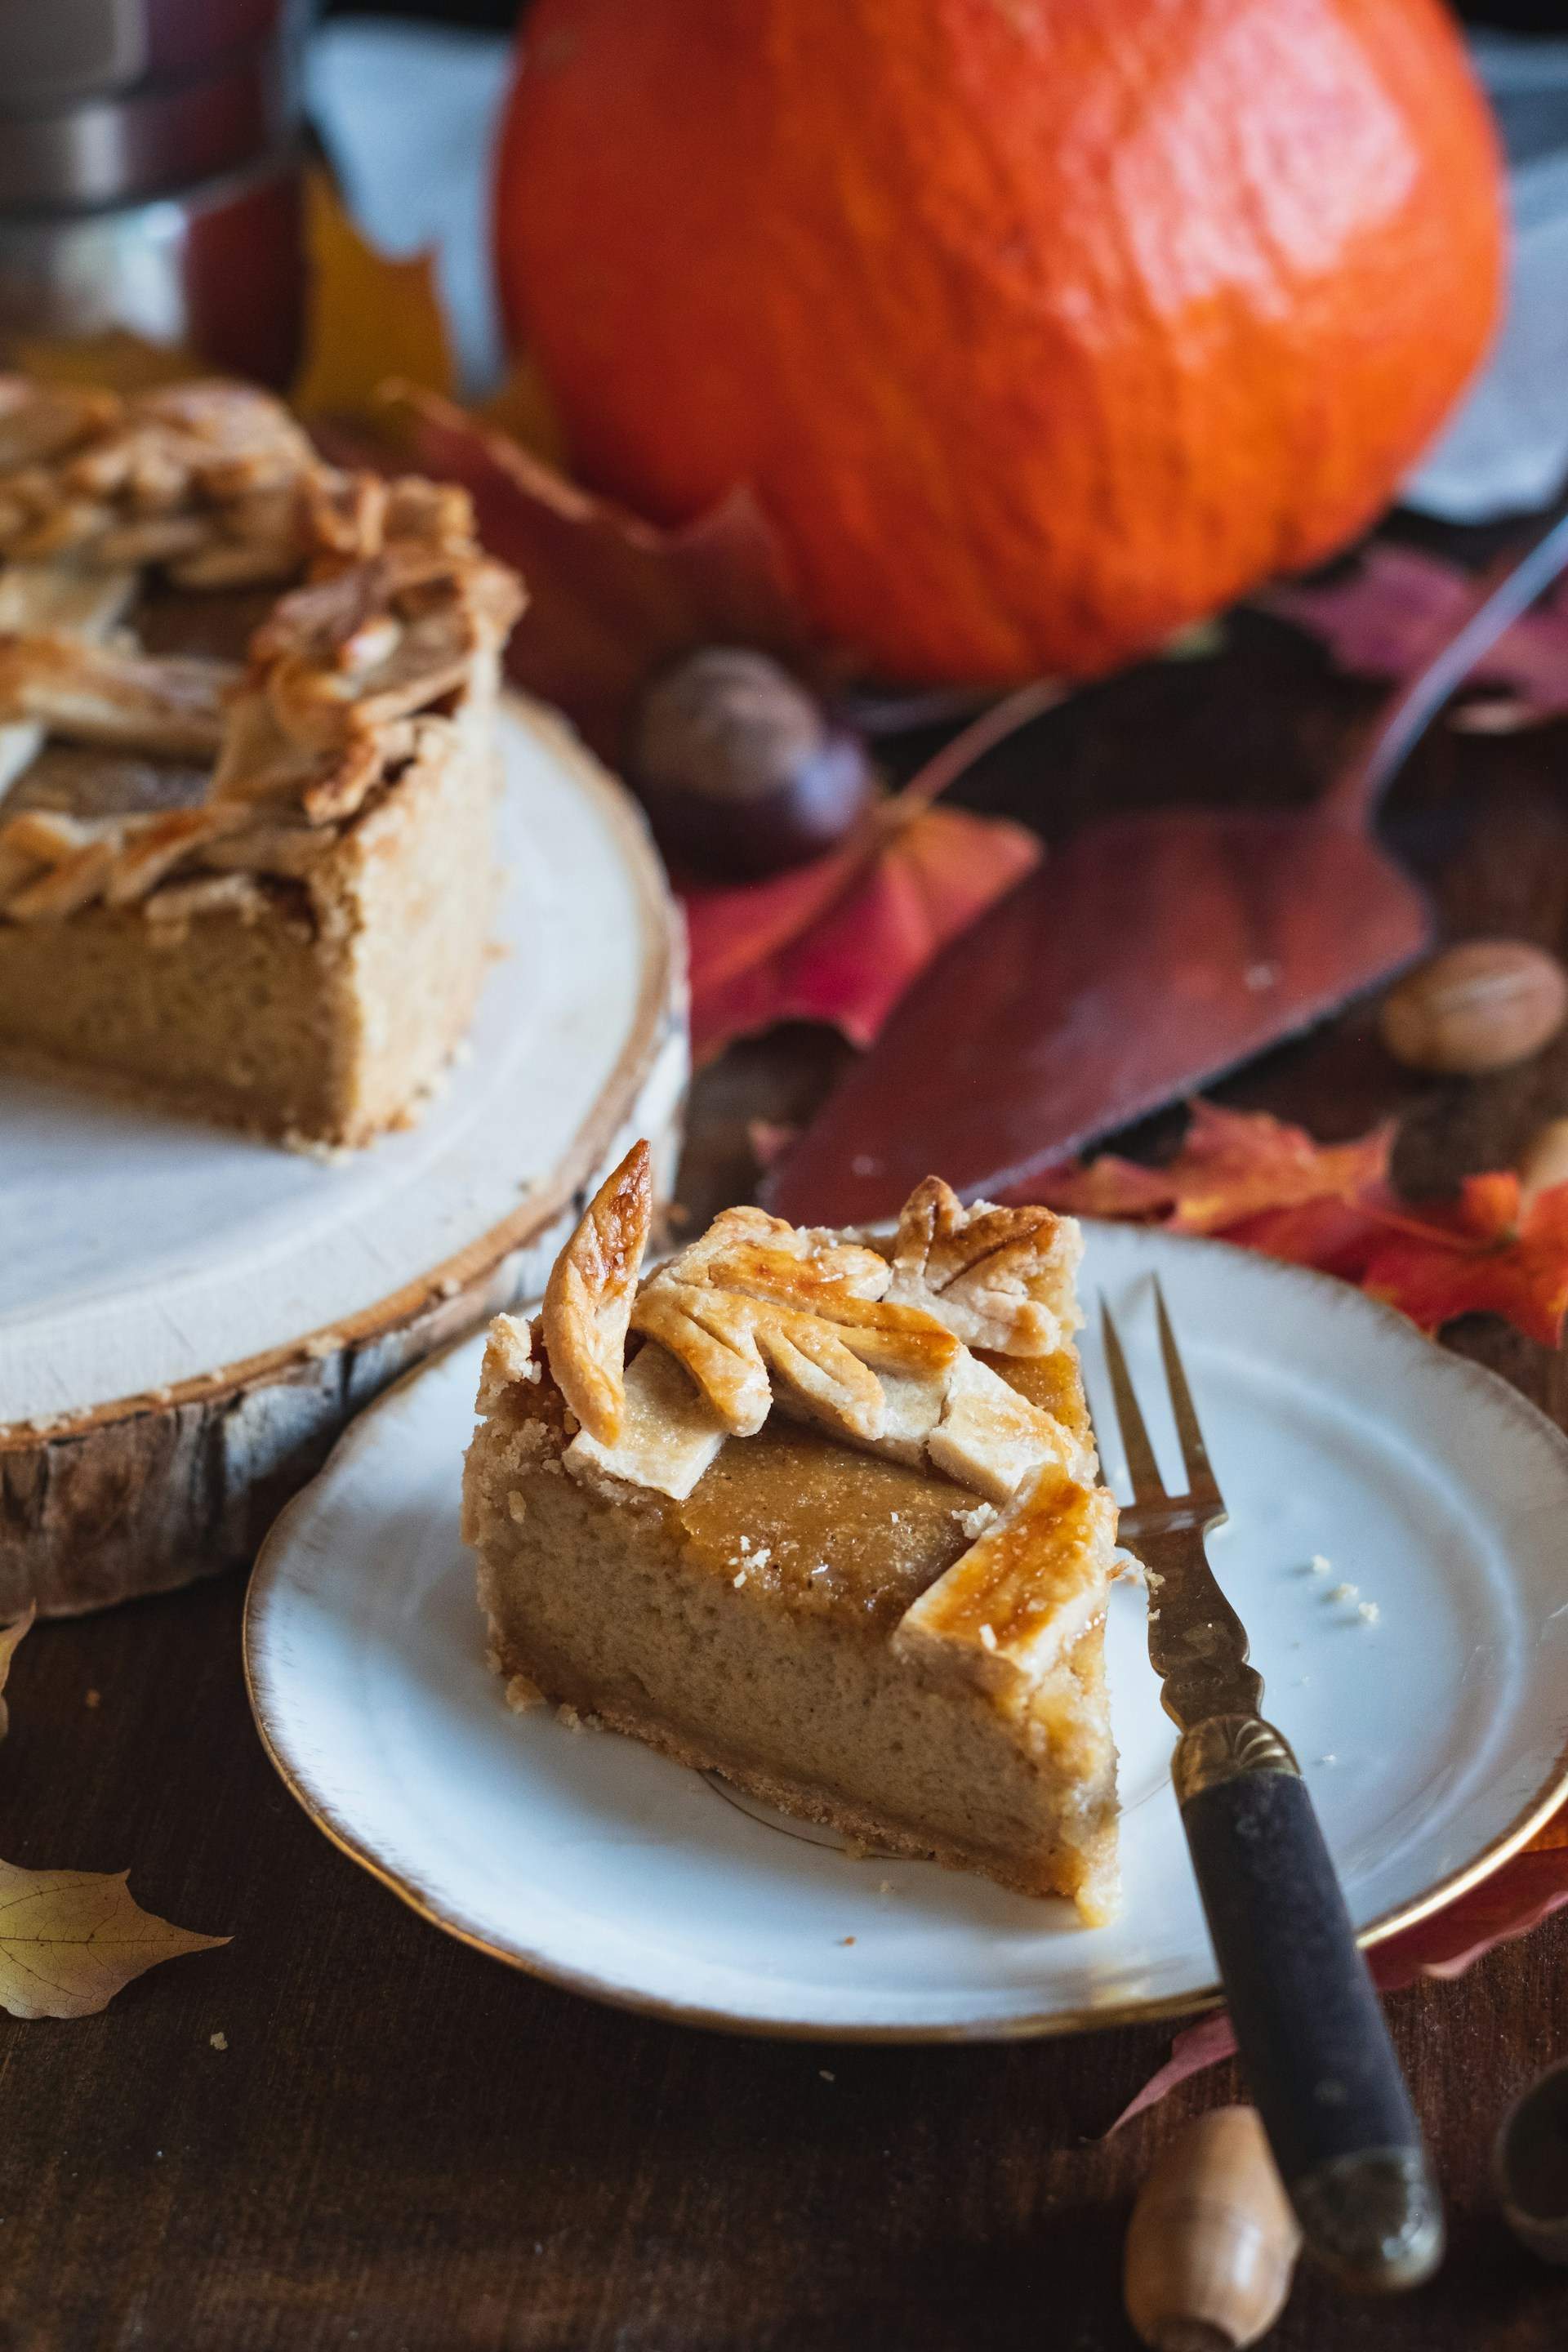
[{"x": 1482, "y": 1255}]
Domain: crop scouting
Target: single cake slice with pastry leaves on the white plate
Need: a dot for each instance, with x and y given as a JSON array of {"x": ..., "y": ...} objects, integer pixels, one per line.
[{"x": 819, "y": 1511}]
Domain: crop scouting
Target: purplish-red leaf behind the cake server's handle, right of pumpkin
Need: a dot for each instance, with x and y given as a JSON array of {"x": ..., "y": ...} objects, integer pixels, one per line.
[{"x": 1388, "y": 615}]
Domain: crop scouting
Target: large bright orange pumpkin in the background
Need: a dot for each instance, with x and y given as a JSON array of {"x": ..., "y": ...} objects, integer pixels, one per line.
[{"x": 1040, "y": 328}]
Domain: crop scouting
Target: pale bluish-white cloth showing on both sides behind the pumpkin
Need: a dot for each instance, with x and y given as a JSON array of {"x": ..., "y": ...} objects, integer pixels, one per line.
[{"x": 410, "y": 119}]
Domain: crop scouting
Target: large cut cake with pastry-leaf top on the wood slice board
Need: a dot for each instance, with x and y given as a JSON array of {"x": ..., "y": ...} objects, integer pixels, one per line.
[{"x": 248, "y": 761}]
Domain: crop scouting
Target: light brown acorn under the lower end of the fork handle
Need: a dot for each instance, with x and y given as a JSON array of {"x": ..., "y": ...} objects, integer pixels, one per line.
[{"x": 1212, "y": 2245}]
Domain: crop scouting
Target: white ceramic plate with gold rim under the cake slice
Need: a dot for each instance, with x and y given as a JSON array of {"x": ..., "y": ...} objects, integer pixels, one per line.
[{"x": 1433, "y": 1737}]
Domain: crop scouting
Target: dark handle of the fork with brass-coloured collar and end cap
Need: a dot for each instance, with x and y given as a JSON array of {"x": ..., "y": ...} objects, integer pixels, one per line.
[{"x": 1311, "y": 2029}]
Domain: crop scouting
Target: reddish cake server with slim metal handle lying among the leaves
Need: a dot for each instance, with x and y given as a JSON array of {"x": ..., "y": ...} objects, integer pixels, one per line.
[{"x": 1144, "y": 961}]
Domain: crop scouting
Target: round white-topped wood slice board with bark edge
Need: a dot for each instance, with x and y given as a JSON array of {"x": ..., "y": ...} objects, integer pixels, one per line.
[{"x": 192, "y": 1316}]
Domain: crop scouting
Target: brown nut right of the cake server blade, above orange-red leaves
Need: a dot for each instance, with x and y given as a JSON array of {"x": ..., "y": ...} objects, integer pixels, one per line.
[{"x": 1477, "y": 1008}]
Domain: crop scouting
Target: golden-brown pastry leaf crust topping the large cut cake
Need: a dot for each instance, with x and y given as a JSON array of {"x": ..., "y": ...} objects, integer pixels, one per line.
[{"x": 215, "y": 486}]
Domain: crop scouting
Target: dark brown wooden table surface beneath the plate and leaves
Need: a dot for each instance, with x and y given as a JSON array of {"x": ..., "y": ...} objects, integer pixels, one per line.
[{"x": 408, "y": 2149}]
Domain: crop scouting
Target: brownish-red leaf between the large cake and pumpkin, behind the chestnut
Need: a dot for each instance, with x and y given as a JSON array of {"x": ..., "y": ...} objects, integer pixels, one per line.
[{"x": 612, "y": 599}]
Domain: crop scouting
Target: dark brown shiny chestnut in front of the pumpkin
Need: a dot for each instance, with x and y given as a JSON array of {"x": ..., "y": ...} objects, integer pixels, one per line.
[{"x": 742, "y": 770}]
